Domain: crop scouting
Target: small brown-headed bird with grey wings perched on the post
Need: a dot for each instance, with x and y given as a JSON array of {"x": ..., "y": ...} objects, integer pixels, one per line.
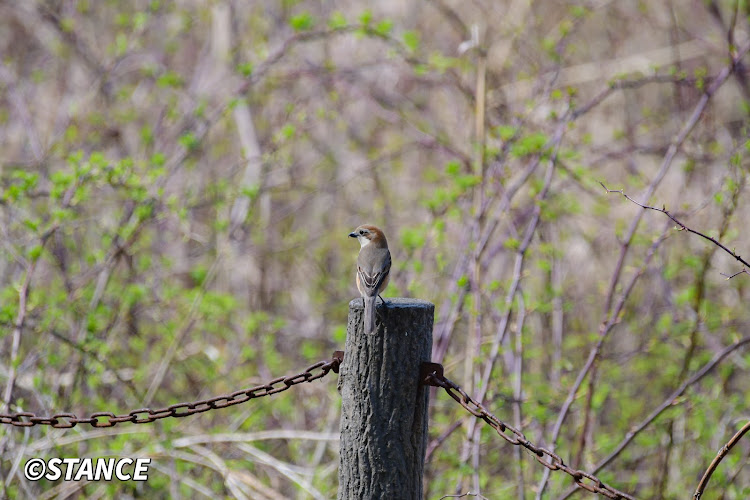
[{"x": 373, "y": 268}]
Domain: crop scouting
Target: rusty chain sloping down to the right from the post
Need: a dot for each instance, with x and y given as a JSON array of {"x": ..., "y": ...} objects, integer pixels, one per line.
[{"x": 432, "y": 374}]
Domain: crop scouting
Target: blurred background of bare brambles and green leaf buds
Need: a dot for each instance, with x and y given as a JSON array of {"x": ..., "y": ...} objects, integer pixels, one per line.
[{"x": 177, "y": 181}]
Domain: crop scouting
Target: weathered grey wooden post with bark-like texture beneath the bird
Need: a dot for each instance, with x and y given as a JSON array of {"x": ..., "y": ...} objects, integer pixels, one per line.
[{"x": 383, "y": 405}]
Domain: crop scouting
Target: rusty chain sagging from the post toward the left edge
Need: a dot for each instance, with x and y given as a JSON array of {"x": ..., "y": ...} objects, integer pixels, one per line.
[{"x": 178, "y": 410}]
